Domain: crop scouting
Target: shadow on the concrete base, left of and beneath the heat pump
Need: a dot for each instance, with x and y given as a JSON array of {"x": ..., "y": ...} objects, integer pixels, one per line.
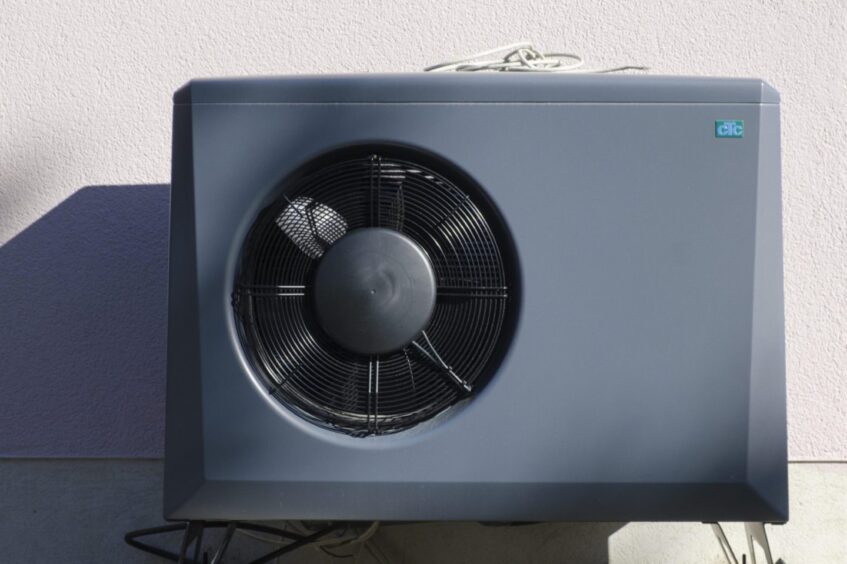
[{"x": 84, "y": 507}]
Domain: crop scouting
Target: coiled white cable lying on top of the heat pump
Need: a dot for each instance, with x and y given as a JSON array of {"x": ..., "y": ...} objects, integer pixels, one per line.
[{"x": 522, "y": 57}]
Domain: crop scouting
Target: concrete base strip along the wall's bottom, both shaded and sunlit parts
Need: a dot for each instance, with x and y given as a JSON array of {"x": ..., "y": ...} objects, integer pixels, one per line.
[{"x": 61, "y": 510}]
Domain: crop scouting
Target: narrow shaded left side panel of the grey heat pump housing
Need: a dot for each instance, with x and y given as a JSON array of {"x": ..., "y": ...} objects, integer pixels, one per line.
[{"x": 184, "y": 423}]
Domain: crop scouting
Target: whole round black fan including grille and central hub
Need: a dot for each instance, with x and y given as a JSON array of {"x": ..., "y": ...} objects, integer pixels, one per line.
[{"x": 377, "y": 291}]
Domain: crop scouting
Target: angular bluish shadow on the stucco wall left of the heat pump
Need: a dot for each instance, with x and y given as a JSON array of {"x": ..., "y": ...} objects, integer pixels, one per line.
[{"x": 83, "y": 304}]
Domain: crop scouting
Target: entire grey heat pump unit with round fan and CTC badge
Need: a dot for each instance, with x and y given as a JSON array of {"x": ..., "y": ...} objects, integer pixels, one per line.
[{"x": 502, "y": 297}]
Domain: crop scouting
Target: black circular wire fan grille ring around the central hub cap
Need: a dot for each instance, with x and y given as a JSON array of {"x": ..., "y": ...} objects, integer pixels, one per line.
[{"x": 449, "y": 218}]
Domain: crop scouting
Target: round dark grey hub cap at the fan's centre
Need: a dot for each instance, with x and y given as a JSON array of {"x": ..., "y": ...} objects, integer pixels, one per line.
[{"x": 374, "y": 291}]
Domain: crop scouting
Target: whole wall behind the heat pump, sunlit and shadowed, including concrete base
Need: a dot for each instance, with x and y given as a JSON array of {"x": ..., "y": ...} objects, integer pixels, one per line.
[{"x": 85, "y": 109}]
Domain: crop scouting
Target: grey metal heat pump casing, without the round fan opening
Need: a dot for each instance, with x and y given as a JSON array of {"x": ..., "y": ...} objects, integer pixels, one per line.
[{"x": 646, "y": 378}]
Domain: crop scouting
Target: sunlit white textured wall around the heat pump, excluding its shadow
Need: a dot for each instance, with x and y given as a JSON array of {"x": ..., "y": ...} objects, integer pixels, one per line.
[{"x": 85, "y": 100}]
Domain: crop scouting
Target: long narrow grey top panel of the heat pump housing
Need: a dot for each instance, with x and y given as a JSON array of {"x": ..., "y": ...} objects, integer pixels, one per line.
[{"x": 477, "y": 88}]
